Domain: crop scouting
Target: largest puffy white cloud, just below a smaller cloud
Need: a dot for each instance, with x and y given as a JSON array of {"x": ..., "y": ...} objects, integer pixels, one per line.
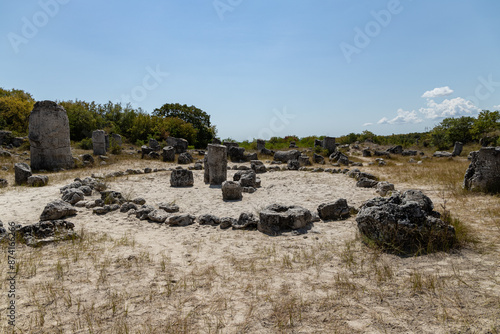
[{"x": 449, "y": 108}]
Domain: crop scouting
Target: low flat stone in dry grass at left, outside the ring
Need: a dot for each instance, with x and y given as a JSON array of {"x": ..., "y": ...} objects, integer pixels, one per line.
[{"x": 45, "y": 232}]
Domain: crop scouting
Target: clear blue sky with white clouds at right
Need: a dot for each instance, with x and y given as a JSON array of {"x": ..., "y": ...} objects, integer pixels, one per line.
[{"x": 263, "y": 68}]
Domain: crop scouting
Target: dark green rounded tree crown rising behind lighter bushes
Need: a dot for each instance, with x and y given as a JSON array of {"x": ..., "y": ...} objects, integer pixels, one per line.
[{"x": 190, "y": 114}]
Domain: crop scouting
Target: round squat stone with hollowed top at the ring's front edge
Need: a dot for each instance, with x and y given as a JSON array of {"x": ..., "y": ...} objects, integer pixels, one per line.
[{"x": 276, "y": 218}]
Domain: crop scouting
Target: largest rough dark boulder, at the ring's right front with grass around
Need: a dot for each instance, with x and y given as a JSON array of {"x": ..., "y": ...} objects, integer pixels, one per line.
[{"x": 405, "y": 224}]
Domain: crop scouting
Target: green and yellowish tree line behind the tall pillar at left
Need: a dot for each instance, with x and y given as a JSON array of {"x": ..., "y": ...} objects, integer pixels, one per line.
[{"x": 171, "y": 119}]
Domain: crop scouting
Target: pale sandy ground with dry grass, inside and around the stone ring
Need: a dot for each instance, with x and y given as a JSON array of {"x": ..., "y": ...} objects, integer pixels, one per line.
[{"x": 137, "y": 276}]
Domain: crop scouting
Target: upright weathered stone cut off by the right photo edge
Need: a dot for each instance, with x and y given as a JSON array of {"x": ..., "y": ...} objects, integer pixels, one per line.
[{"x": 483, "y": 173}]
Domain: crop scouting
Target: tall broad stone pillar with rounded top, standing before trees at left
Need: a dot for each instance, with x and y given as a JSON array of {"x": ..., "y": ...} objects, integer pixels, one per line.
[{"x": 49, "y": 137}]
